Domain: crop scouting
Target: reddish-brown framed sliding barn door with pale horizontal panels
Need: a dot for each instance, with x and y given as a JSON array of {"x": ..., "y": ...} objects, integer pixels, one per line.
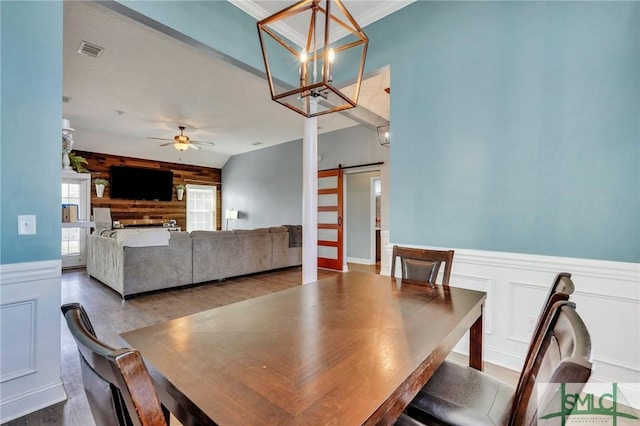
[{"x": 330, "y": 223}]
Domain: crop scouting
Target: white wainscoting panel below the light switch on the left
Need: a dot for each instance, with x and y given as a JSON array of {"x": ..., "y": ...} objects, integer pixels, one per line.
[{"x": 30, "y": 338}]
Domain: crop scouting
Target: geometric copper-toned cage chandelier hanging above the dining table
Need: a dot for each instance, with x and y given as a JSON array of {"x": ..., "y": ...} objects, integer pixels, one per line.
[{"x": 320, "y": 73}]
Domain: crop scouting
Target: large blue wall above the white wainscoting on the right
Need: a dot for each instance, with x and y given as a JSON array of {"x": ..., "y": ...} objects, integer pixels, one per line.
[{"x": 515, "y": 126}]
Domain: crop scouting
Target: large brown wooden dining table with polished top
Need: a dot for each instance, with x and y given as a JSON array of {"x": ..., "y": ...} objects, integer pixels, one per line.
[{"x": 347, "y": 350}]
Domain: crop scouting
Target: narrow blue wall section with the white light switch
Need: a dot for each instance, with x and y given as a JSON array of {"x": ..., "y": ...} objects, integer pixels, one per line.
[{"x": 31, "y": 121}]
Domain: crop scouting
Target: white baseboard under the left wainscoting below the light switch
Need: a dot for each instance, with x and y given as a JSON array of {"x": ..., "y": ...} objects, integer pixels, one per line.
[{"x": 26, "y": 403}]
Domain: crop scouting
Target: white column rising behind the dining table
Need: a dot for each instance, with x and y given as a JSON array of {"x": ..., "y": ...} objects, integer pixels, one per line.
[{"x": 310, "y": 198}]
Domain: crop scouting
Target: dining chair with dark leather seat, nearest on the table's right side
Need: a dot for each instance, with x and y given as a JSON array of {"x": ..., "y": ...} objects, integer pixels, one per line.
[{"x": 471, "y": 397}]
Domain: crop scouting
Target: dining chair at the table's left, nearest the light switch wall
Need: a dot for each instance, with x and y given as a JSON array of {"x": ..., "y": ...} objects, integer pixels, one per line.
[{"x": 117, "y": 384}]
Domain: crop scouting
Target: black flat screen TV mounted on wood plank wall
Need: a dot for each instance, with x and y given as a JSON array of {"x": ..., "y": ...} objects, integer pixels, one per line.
[{"x": 138, "y": 183}]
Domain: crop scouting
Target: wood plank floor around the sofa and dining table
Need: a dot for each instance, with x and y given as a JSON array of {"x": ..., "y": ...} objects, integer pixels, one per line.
[{"x": 111, "y": 316}]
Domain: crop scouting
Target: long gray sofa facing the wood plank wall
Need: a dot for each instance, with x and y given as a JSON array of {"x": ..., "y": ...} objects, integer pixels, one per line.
[{"x": 190, "y": 258}]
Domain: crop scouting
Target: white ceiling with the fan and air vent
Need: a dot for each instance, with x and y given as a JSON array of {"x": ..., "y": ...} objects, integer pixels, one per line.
[{"x": 146, "y": 83}]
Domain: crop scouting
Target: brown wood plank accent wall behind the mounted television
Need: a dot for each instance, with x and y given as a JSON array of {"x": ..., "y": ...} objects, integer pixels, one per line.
[{"x": 139, "y": 212}]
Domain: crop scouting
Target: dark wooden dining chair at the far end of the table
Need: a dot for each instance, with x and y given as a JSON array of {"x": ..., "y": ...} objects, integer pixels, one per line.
[{"x": 422, "y": 265}]
